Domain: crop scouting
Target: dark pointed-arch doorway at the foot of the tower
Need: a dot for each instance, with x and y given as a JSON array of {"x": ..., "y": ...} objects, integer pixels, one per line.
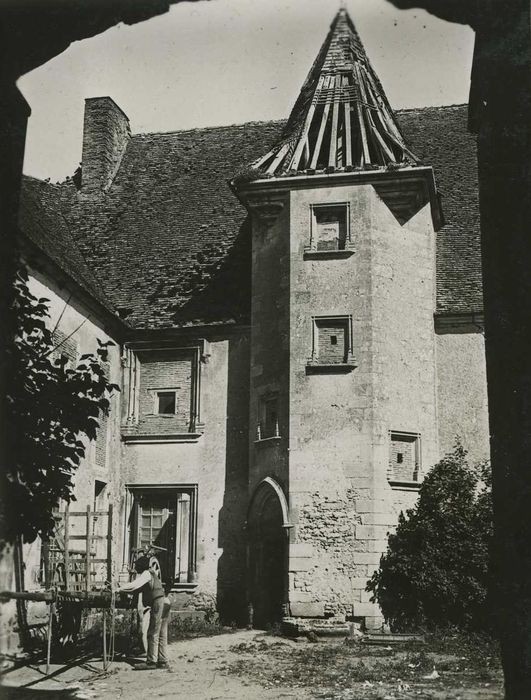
[{"x": 268, "y": 538}]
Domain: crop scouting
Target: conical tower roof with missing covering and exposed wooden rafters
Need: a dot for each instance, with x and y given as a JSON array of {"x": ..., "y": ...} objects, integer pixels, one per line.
[{"x": 342, "y": 119}]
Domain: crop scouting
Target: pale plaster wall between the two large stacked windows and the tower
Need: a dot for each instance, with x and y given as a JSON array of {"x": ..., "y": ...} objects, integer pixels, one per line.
[{"x": 216, "y": 462}]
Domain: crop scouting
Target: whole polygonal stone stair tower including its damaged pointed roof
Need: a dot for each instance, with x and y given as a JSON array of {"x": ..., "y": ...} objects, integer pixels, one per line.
[{"x": 343, "y": 374}]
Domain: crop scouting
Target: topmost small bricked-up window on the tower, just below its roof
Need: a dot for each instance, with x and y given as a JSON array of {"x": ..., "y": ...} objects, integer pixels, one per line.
[{"x": 329, "y": 230}]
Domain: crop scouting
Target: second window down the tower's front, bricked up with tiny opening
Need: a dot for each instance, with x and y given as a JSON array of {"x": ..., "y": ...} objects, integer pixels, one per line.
[{"x": 331, "y": 343}]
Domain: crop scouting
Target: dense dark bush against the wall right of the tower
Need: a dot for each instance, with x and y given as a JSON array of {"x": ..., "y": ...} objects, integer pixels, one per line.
[{"x": 434, "y": 573}]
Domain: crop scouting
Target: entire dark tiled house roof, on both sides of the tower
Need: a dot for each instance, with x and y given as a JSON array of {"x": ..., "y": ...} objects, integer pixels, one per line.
[{"x": 169, "y": 243}]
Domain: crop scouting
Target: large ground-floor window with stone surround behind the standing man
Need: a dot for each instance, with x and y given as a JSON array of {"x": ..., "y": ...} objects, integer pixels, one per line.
[{"x": 166, "y": 517}]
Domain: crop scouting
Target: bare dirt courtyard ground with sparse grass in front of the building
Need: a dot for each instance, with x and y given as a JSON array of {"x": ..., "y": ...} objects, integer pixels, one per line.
[{"x": 254, "y": 665}]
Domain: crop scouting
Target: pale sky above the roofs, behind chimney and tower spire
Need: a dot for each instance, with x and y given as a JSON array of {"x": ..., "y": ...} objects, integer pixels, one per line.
[{"x": 231, "y": 61}]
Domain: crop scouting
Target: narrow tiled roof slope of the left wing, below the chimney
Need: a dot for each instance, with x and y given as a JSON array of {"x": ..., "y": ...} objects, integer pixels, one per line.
[{"x": 42, "y": 221}]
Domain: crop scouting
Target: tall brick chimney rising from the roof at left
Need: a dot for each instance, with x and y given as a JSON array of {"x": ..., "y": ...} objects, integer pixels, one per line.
[{"x": 106, "y": 133}]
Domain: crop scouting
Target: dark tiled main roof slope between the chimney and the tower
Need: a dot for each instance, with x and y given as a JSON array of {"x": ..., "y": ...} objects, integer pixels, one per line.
[{"x": 169, "y": 240}]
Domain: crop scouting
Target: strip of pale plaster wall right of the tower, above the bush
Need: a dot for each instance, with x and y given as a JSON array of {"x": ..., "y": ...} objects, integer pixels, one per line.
[{"x": 462, "y": 392}]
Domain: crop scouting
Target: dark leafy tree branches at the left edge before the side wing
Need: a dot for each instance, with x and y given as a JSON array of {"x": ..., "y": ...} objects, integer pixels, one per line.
[{"x": 51, "y": 408}]
